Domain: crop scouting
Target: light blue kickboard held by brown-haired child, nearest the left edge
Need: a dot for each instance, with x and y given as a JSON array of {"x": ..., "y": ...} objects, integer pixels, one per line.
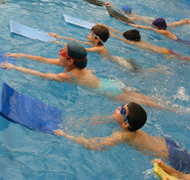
[{"x": 29, "y": 32}]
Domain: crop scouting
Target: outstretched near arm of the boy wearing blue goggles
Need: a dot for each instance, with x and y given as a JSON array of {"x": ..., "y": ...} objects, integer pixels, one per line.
[{"x": 93, "y": 143}]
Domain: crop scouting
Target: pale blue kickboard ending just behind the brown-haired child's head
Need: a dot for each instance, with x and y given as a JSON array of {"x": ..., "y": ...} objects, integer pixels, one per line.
[{"x": 78, "y": 22}]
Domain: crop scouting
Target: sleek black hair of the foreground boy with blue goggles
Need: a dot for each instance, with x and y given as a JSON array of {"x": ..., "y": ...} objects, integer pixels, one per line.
[{"x": 137, "y": 116}]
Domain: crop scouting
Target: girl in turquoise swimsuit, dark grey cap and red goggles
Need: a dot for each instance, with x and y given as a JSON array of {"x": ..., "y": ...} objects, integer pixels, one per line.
[{"x": 73, "y": 58}]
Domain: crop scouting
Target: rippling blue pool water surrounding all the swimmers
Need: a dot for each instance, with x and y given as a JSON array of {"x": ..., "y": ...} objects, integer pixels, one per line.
[{"x": 27, "y": 154}]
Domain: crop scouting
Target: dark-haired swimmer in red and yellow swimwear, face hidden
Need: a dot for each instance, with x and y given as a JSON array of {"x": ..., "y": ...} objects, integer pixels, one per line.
[{"x": 133, "y": 37}]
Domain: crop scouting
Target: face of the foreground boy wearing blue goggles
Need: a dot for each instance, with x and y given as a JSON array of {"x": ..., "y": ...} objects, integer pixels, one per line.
[{"x": 118, "y": 116}]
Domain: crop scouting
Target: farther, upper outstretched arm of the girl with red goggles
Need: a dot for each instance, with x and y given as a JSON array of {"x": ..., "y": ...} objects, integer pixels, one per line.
[{"x": 34, "y": 58}]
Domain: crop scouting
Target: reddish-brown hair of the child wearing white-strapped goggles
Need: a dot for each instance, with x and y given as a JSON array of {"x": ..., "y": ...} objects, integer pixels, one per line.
[{"x": 102, "y": 32}]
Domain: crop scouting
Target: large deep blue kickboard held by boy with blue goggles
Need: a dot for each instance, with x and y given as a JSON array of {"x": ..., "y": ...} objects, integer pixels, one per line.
[{"x": 28, "y": 112}]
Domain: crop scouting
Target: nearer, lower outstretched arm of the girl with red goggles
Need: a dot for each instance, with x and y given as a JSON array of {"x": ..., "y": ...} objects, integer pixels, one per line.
[{"x": 50, "y": 76}]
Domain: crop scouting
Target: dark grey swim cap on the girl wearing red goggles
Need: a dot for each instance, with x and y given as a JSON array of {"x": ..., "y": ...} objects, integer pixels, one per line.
[{"x": 78, "y": 53}]
